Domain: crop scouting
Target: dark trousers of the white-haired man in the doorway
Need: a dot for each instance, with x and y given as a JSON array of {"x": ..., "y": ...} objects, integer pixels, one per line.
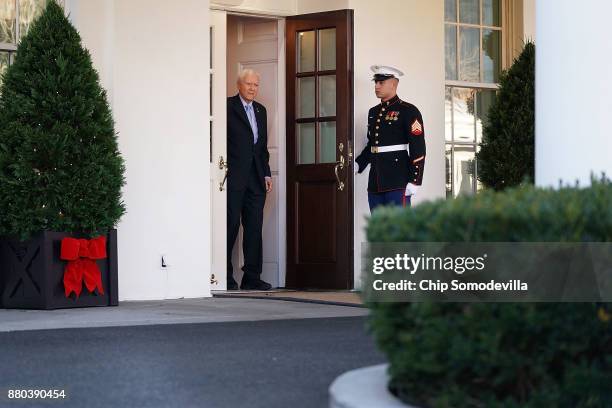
[{"x": 248, "y": 205}]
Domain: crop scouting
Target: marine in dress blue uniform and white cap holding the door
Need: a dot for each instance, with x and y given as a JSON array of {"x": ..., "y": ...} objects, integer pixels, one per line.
[{"x": 395, "y": 149}]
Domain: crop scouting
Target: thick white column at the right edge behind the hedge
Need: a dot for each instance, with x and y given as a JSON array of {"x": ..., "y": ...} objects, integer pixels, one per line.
[{"x": 573, "y": 91}]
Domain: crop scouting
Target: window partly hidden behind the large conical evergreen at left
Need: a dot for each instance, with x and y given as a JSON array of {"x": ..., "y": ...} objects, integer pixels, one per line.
[{"x": 16, "y": 16}]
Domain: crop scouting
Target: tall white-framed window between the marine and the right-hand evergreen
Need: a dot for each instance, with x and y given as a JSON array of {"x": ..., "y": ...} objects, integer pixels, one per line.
[{"x": 473, "y": 54}]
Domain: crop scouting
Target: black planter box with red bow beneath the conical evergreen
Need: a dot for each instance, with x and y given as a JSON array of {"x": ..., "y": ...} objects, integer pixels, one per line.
[{"x": 32, "y": 273}]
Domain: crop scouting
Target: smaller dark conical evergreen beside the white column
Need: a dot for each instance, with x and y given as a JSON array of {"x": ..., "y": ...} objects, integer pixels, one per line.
[{"x": 506, "y": 156}]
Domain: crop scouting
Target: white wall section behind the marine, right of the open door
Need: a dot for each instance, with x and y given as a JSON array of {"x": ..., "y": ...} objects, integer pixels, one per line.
[{"x": 409, "y": 35}]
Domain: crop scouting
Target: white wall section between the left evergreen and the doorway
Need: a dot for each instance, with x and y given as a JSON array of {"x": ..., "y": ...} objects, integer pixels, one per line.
[{"x": 153, "y": 59}]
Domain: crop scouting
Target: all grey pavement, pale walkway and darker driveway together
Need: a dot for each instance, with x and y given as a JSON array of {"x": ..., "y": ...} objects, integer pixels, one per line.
[{"x": 233, "y": 353}]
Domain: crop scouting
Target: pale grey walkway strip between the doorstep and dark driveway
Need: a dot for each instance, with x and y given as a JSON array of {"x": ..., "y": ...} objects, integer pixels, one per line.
[{"x": 203, "y": 310}]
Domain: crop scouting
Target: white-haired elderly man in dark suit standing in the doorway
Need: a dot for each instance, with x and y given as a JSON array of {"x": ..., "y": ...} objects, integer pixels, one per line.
[{"x": 248, "y": 179}]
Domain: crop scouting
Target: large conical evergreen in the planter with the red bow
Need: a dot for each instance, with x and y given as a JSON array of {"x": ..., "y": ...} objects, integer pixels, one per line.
[{"x": 60, "y": 167}]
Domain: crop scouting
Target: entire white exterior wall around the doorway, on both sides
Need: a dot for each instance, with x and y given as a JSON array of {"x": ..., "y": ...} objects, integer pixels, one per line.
[{"x": 158, "y": 88}]
